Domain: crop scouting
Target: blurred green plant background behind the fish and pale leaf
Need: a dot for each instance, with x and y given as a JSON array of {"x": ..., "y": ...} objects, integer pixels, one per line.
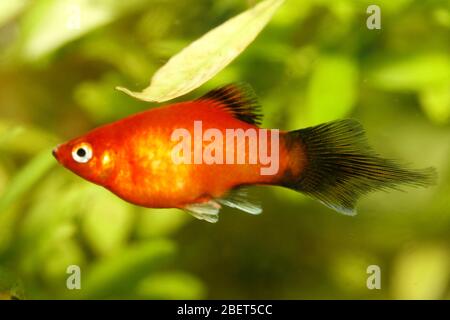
[{"x": 315, "y": 61}]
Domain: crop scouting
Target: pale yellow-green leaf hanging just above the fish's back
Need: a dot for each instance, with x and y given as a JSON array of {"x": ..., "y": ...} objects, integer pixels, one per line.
[{"x": 208, "y": 55}]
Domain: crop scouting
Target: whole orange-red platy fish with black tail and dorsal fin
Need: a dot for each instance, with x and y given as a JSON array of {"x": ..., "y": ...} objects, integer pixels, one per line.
[{"x": 201, "y": 155}]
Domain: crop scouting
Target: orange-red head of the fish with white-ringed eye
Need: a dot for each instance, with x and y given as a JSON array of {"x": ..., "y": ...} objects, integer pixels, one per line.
[{"x": 92, "y": 157}]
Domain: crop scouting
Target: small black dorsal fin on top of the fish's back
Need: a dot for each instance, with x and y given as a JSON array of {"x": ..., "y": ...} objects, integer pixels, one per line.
[{"x": 239, "y": 99}]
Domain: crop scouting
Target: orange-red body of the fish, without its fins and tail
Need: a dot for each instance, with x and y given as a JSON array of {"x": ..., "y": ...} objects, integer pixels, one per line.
[{"x": 133, "y": 157}]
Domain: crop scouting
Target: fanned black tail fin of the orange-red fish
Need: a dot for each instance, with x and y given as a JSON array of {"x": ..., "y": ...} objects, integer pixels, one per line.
[{"x": 339, "y": 166}]
